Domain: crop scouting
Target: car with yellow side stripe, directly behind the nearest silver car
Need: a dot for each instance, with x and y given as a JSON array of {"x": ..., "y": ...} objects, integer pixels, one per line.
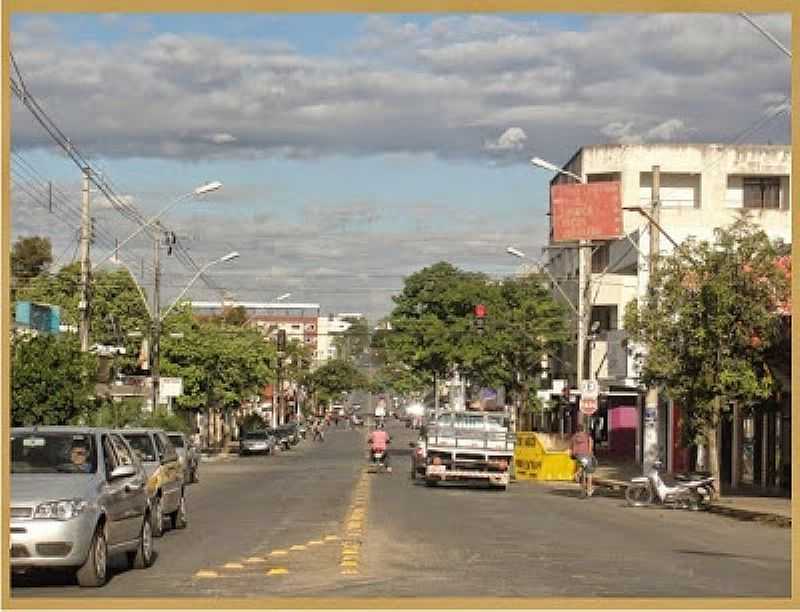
[{"x": 165, "y": 484}]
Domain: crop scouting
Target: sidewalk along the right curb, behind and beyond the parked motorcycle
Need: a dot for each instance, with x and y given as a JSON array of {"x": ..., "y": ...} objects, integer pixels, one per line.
[{"x": 742, "y": 504}]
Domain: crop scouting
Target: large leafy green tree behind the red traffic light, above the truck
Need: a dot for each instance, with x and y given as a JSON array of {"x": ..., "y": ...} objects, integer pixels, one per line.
[{"x": 433, "y": 329}]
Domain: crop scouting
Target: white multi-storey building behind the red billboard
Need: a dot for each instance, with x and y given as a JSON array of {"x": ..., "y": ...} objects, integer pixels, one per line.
[{"x": 702, "y": 187}]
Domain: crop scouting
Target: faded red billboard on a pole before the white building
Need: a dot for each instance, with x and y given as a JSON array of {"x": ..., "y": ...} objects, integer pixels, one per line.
[{"x": 586, "y": 211}]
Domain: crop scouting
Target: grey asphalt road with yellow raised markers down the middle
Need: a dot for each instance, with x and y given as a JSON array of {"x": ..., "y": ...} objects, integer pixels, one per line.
[{"x": 313, "y": 522}]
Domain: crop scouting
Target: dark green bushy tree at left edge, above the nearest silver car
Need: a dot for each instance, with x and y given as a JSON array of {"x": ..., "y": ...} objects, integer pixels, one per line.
[{"x": 52, "y": 382}]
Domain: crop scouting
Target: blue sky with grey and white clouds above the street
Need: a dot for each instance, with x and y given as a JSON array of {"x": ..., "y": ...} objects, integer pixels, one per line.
[{"x": 356, "y": 149}]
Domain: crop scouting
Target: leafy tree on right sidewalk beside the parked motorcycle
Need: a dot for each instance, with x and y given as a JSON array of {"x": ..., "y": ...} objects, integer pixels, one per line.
[{"x": 709, "y": 325}]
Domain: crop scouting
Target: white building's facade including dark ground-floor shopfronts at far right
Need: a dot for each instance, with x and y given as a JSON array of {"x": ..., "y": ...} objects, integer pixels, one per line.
[{"x": 702, "y": 187}]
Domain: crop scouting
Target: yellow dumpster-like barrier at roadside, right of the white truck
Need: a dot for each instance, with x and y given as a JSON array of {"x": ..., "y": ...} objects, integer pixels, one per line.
[{"x": 540, "y": 456}]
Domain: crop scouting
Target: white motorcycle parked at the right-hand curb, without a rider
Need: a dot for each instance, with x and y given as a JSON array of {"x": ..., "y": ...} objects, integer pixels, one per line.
[{"x": 686, "y": 493}]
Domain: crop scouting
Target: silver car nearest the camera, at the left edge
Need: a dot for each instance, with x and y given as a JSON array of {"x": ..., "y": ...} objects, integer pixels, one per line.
[{"x": 77, "y": 497}]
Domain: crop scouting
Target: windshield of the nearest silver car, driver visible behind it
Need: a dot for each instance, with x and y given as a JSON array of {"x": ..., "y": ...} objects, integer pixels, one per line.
[{"x": 52, "y": 453}]
